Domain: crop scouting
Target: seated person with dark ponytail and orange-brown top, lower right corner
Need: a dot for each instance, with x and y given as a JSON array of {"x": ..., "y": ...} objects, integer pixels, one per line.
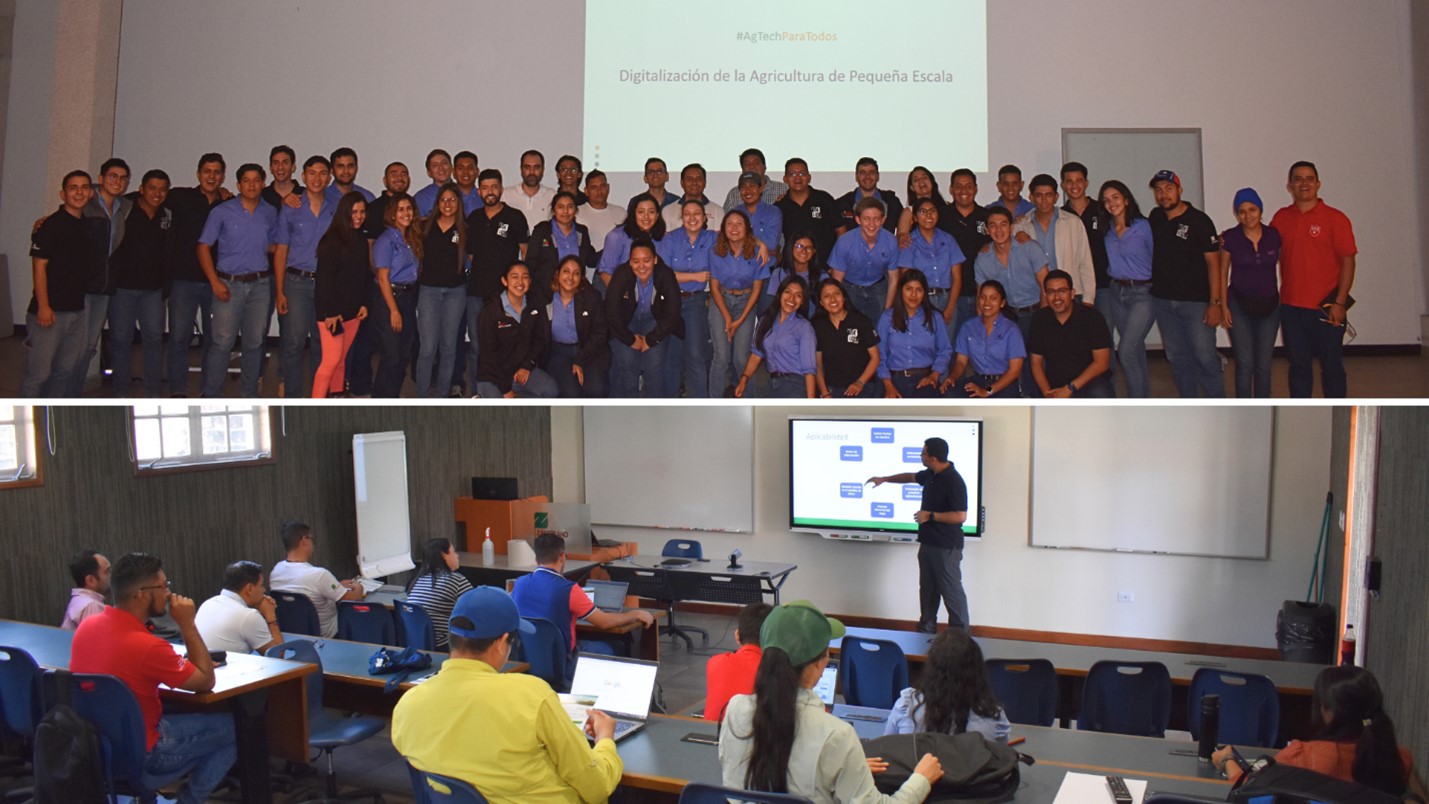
[{"x": 1355, "y": 739}]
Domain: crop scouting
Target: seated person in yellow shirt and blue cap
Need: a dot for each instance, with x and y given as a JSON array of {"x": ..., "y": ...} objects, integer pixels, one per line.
[{"x": 529, "y": 752}]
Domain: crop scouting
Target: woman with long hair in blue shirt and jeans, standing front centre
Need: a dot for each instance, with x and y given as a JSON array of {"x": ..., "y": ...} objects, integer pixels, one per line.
[{"x": 738, "y": 275}]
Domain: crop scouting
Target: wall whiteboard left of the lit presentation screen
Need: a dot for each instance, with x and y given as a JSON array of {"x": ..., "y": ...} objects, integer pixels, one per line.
[{"x": 671, "y": 468}]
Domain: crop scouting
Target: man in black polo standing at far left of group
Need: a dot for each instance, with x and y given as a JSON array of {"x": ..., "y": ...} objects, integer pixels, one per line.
[{"x": 55, "y": 322}]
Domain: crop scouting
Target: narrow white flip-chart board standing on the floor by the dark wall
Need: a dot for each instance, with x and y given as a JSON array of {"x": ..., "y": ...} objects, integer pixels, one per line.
[{"x": 384, "y": 518}]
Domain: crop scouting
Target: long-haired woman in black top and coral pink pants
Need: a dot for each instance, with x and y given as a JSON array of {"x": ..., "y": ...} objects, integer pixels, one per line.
[{"x": 341, "y": 292}]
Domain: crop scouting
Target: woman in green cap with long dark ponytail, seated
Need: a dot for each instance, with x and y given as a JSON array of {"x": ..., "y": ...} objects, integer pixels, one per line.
[{"x": 781, "y": 740}]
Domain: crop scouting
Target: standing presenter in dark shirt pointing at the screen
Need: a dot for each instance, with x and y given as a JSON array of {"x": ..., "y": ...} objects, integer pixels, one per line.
[{"x": 940, "y": 536}]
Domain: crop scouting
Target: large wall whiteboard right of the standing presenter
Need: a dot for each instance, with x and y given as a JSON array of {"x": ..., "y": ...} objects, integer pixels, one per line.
[{"x": 1185, "y": 481}]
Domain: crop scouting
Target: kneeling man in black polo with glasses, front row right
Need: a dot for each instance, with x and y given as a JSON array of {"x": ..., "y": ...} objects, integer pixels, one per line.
[{"x": 1070, "y": 345}]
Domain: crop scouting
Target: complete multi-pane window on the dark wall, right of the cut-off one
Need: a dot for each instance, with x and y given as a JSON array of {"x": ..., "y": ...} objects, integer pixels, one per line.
[{"x": 172, "y": 436}]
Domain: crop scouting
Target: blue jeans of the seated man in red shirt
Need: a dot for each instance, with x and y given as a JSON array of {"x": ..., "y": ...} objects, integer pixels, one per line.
[{"x": 201, "y": 743}]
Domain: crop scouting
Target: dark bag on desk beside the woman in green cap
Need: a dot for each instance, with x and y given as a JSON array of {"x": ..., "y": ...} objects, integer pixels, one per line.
[{"x": 975, "y": 769}]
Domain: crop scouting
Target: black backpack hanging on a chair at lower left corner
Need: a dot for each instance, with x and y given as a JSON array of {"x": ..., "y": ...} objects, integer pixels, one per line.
[{"x": 69, "y": 758}]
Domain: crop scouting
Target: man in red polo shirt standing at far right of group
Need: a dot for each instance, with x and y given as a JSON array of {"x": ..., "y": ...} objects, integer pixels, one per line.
[{"x": 1317, "y": 272}]
